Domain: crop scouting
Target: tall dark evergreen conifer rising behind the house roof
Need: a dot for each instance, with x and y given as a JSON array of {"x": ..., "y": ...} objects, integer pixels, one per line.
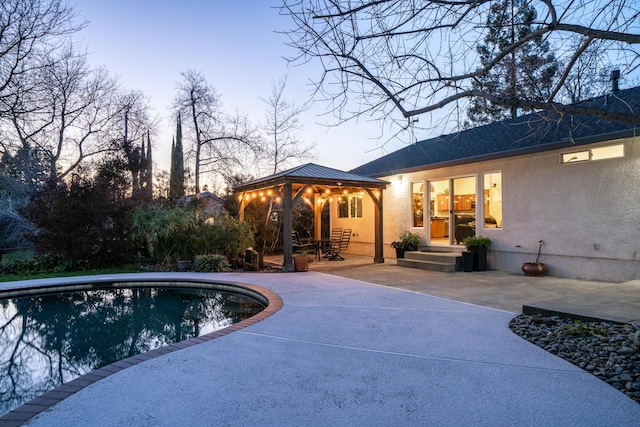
[{"x": 526, "y": 72}]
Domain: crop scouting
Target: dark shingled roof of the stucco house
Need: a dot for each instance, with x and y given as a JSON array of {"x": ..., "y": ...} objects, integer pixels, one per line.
[{"x": 530, "y": 133}]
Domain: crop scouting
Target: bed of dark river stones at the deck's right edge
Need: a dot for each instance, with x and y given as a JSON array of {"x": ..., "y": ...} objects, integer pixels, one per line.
[{"x": 604, "y": 349}]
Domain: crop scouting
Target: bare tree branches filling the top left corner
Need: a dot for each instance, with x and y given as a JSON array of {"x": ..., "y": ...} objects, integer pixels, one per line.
[{"x": 29, "y": 29}]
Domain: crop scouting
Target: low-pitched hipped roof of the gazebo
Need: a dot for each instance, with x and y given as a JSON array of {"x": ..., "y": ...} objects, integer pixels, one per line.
[{"x": 311, "y": 173}]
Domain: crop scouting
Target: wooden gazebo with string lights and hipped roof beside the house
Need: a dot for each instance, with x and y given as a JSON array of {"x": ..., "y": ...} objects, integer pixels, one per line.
[{"x": 315, "y": 185}]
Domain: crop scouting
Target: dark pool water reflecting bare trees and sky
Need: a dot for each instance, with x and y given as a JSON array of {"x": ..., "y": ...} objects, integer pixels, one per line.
[{"x": 48, "y": 340}]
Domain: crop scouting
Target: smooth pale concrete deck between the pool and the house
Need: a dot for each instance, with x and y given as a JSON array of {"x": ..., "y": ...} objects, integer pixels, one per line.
[{"x": 347, "y": 351}]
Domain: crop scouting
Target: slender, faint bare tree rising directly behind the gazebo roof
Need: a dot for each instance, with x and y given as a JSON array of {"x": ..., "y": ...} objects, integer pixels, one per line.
[{"x": 282, "y": 124}]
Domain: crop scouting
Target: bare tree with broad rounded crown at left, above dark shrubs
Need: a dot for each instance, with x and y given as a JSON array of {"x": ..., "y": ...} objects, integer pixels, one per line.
[{"x": 66, "y": 112}]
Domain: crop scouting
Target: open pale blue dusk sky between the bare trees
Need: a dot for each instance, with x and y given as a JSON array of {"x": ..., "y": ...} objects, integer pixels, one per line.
[{"x": 235, "y": 45}]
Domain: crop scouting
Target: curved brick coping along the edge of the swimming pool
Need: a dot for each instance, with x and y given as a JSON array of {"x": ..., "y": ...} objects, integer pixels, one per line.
[{"x": 30, "y": 409}]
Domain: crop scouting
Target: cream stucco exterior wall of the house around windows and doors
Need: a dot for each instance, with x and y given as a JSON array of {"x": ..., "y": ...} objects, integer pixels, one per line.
[{"x": 587, "y": 213}]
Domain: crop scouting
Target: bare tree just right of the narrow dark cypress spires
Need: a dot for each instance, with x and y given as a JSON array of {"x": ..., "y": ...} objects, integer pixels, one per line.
[{"x": 221, "y": 143}]
